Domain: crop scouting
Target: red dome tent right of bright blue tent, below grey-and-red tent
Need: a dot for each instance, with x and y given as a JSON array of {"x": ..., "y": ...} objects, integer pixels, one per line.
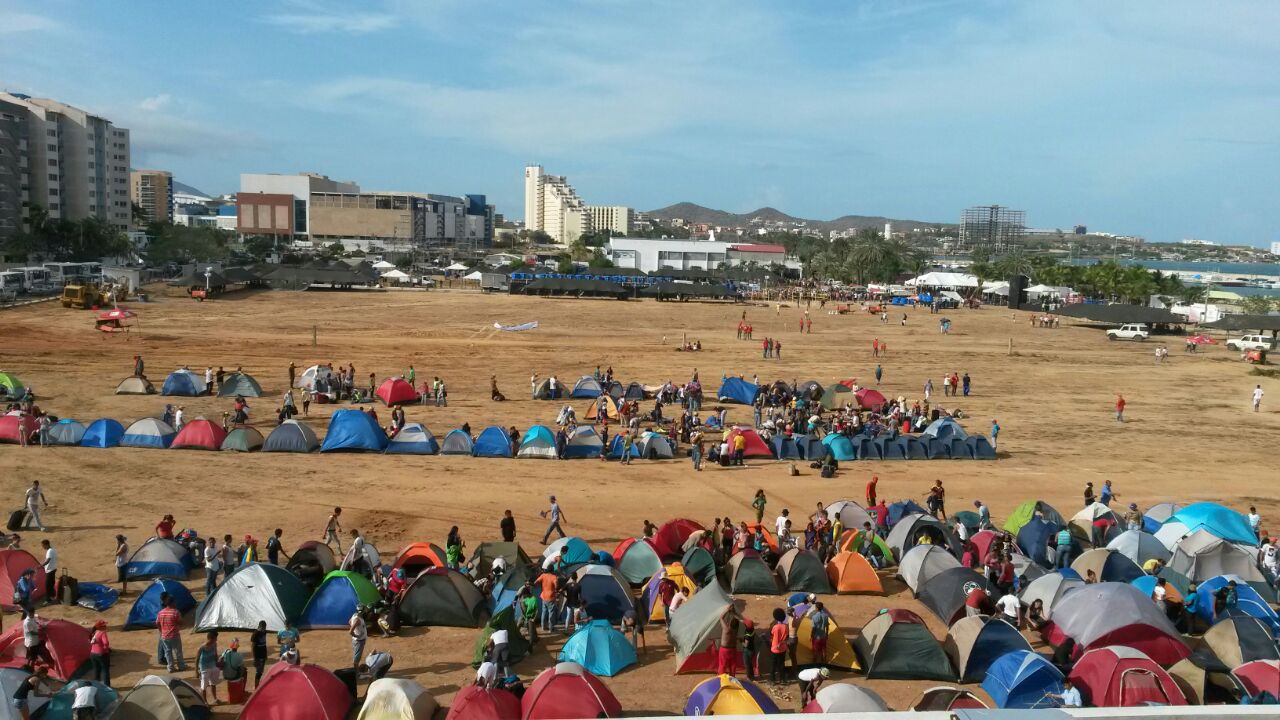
[{"x": 1122, "y": 677}]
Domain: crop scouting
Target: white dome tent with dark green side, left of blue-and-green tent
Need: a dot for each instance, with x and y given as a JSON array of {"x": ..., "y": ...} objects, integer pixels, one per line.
[{"x": 258, "y": 593}]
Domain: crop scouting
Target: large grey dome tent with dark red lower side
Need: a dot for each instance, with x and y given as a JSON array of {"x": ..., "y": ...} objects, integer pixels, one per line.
[{"x": 1131, "y": 619}]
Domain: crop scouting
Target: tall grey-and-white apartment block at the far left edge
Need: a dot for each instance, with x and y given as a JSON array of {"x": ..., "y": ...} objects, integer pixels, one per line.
[{"x": 77, "y": 165}]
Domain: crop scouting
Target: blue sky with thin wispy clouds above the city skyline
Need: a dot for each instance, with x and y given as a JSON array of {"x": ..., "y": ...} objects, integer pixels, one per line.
[{"x": 1158, "y": 119}]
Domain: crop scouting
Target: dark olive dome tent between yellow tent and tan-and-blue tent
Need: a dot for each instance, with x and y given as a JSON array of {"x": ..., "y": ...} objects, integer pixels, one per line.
[{"x": 897, "y": 645}]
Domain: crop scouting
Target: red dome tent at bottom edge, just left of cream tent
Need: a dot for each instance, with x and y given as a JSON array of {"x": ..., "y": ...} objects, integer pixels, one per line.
[{"x": 298, "y": 692}]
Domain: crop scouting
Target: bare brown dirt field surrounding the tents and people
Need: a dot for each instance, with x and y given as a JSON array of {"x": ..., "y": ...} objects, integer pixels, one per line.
[{"x": 1190, "y": 436}]
